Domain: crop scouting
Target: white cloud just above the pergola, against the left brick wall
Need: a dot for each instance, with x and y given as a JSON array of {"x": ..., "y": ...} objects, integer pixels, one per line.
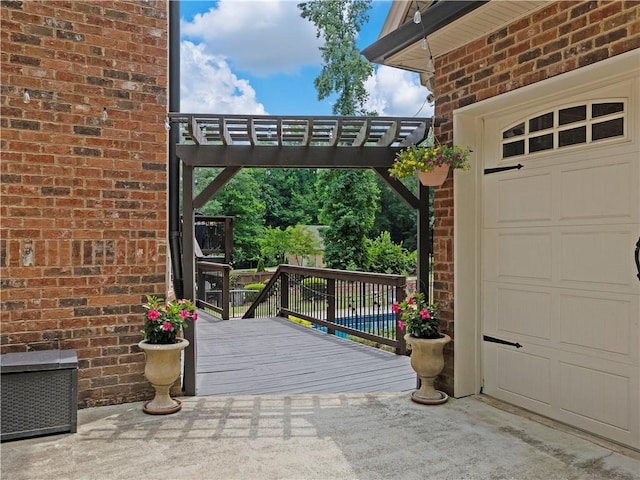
[{"x": 207, "y": 85}]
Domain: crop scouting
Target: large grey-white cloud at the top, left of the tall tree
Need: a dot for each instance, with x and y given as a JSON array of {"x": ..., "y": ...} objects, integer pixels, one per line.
[{"x": 258, "y": 36}]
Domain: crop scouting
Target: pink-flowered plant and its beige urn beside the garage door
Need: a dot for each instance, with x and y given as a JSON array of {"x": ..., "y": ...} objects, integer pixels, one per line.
[{"x": 420, "y": 321}]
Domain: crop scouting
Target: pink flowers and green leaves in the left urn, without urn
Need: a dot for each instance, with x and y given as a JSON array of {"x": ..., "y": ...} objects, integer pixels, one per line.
[{"x": 166, "y": 319}]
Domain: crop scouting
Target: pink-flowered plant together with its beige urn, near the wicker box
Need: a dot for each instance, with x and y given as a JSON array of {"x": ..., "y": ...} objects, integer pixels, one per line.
[{"x": 162, "y": 346}]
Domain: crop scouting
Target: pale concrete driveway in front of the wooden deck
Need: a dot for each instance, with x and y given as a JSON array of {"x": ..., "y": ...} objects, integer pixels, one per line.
[{"x": 328, "y": 436}]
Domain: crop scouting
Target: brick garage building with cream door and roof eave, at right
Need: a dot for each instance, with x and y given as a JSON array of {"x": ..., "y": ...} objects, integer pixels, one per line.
[{"x": 541, "y": 255}]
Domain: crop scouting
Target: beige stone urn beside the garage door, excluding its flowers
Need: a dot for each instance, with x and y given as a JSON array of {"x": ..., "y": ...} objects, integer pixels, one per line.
[{"x": 427, "y": 360}]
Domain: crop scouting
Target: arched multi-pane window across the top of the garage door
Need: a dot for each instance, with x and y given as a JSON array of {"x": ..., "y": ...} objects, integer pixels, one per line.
[{"x": 566, "y": 126}]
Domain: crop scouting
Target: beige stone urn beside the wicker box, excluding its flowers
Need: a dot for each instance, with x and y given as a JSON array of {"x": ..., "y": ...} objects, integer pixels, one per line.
[{"x": 162, "y": 369}]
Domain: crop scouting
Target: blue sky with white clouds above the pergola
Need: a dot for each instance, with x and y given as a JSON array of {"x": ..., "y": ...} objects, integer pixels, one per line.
[{"x": 261, "y": 57}]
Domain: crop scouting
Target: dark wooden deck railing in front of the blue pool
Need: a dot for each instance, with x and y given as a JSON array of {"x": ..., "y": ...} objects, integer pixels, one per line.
[{"x": 354, "y": 304}]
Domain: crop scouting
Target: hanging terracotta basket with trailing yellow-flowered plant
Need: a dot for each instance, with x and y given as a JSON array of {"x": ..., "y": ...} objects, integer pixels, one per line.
[{"x": 432, "y": 163}]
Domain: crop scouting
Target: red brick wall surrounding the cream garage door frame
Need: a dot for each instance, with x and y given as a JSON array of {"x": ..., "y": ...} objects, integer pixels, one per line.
[{"x": 558, "y": 38}]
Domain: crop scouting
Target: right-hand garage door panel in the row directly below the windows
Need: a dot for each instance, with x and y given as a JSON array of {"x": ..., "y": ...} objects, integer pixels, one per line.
[{"x": 598, "y": 193}]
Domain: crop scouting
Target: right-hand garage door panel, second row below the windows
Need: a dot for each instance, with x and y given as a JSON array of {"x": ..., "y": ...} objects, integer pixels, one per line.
[{"x": 598, "y": 257}]
